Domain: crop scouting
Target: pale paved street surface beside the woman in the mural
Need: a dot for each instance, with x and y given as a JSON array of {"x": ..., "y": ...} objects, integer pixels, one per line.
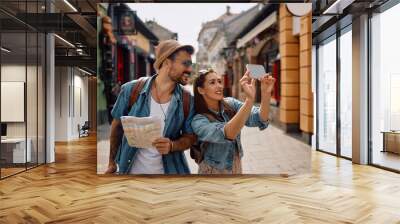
[{"x": 270, "y": 152}]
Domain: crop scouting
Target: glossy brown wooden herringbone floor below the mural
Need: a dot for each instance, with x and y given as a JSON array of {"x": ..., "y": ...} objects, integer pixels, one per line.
[{"x": 69, "y": 191}]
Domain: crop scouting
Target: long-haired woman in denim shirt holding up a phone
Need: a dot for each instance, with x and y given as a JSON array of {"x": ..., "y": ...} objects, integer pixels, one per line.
[{"x": 218, "y": 120}]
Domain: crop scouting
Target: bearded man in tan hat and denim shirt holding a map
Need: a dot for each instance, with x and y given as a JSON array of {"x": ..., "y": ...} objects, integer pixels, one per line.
[{"x": 161, "y": 95}]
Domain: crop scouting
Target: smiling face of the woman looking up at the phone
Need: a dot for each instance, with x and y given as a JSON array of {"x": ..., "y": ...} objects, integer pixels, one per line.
[{"x": 212, "y": 89}]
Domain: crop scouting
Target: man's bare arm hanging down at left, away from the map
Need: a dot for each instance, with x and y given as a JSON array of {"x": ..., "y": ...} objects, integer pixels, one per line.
[{"x": 115, "y": 142}]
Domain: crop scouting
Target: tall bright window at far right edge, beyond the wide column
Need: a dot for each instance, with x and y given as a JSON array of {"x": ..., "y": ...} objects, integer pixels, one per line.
[{"x": 385, "y": 89}]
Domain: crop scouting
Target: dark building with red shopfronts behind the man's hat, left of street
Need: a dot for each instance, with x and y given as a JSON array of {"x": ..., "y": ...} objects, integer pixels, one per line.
[{"x": 129, "y": 56}]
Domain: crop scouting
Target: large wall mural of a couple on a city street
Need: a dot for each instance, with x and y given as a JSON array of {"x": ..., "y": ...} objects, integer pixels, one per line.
[{"x": 133, "y": 49}]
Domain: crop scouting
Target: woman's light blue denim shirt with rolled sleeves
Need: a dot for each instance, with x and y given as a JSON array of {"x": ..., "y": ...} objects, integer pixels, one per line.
[{"x": 220, "y": 150}]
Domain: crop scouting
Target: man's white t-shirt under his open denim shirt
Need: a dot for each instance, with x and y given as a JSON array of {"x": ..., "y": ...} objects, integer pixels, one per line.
[{"x": 149, "y": 161}]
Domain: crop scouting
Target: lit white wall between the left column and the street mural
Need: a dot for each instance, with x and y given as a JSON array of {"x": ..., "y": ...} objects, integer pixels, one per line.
[{"x": 70, "y": 83}]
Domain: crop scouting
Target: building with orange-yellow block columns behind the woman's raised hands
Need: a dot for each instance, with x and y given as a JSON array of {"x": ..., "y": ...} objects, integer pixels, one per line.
[{"x": 269, "y": 39}]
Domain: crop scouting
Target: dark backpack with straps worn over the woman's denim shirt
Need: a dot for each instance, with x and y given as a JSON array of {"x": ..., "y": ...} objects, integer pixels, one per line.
[{"x": 198, "y": 149}]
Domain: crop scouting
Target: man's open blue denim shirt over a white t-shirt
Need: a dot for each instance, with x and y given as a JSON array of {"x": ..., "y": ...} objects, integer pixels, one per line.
[{"x": 175, "y": 125}]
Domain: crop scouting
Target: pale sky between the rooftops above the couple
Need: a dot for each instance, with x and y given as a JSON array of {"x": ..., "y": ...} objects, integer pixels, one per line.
[{"x": 185, "y": 18}]
